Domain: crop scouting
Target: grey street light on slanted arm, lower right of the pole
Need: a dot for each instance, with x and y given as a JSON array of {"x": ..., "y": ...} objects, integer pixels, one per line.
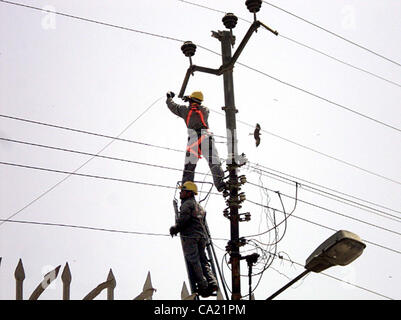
[{"x": 341, "y": 248}]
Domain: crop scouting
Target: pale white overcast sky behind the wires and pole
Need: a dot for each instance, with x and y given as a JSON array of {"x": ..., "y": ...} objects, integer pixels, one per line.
[{"x": 82, "y": 75}]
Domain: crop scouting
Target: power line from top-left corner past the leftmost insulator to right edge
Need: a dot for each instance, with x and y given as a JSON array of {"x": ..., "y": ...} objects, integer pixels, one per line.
[{"x": 244, "y": 65}]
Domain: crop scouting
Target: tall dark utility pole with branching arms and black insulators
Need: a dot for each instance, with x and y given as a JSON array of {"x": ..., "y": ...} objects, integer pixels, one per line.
[{"x": 235, "y": 198}]
